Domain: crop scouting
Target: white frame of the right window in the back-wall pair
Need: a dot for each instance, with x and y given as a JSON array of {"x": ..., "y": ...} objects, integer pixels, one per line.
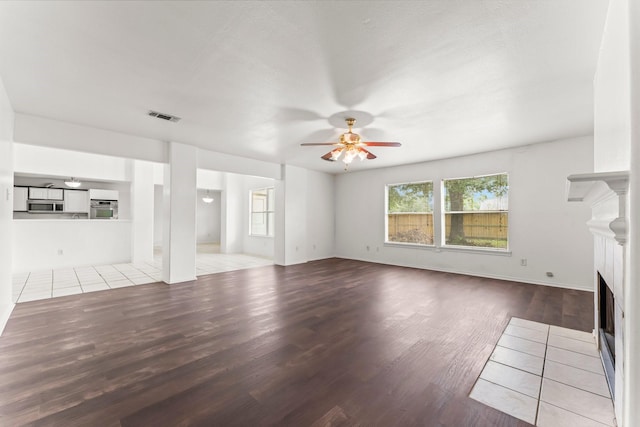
[{"x": 444, "y": 212}]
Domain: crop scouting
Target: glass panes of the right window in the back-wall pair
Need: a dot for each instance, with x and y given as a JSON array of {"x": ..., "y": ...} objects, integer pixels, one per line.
[{"x": 476, "y": 211}]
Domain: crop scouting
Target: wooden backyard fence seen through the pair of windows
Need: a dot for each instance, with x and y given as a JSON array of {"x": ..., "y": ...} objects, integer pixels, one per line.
[{"x": 477, "y": 225}]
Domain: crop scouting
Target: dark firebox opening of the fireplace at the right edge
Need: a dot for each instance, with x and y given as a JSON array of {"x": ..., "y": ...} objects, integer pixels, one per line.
[{"x": 607, "y": 331}]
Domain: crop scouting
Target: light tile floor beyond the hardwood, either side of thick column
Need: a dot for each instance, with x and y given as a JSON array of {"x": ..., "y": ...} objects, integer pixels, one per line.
[{"x": 37, "y": 285}]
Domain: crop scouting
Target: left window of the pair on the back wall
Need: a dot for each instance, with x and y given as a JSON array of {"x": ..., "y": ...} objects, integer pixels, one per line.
[{"x": 410, "y": 213}]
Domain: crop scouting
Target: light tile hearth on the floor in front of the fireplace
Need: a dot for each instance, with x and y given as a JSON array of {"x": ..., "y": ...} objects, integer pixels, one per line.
[{"x": 547, "y": 376}]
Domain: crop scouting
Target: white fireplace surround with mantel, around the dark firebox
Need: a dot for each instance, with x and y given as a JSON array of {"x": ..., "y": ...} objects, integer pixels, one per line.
[{"x": 607, "y": 194}]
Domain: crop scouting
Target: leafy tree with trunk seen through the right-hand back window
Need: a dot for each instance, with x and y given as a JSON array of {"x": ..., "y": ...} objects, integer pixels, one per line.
[{"x": 462, "y": 194}]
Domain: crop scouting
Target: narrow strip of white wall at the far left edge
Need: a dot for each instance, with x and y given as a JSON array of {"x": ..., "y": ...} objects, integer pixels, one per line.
[{"x": 6, "y": 205}]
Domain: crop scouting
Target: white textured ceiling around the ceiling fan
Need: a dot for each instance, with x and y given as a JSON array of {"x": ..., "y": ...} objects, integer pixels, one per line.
[{"x": 256, "y": 79}]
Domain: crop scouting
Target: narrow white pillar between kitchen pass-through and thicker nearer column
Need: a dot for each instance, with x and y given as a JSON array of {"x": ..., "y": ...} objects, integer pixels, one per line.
[{"x": 142, "y": 195}]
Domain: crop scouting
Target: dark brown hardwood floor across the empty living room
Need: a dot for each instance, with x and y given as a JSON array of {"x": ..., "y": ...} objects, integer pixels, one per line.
[{"x": 331, "y": 342}]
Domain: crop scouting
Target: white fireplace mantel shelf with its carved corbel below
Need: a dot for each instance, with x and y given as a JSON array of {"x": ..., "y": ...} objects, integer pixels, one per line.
[{"x": 599, "y": 188}]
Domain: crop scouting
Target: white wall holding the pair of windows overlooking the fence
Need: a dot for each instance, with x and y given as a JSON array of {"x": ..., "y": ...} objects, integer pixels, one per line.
[{"x": 543, "y": 227}]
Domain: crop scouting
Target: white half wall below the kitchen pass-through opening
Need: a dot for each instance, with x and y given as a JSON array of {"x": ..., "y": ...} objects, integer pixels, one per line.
[{"x": 36, "y": 243}]
